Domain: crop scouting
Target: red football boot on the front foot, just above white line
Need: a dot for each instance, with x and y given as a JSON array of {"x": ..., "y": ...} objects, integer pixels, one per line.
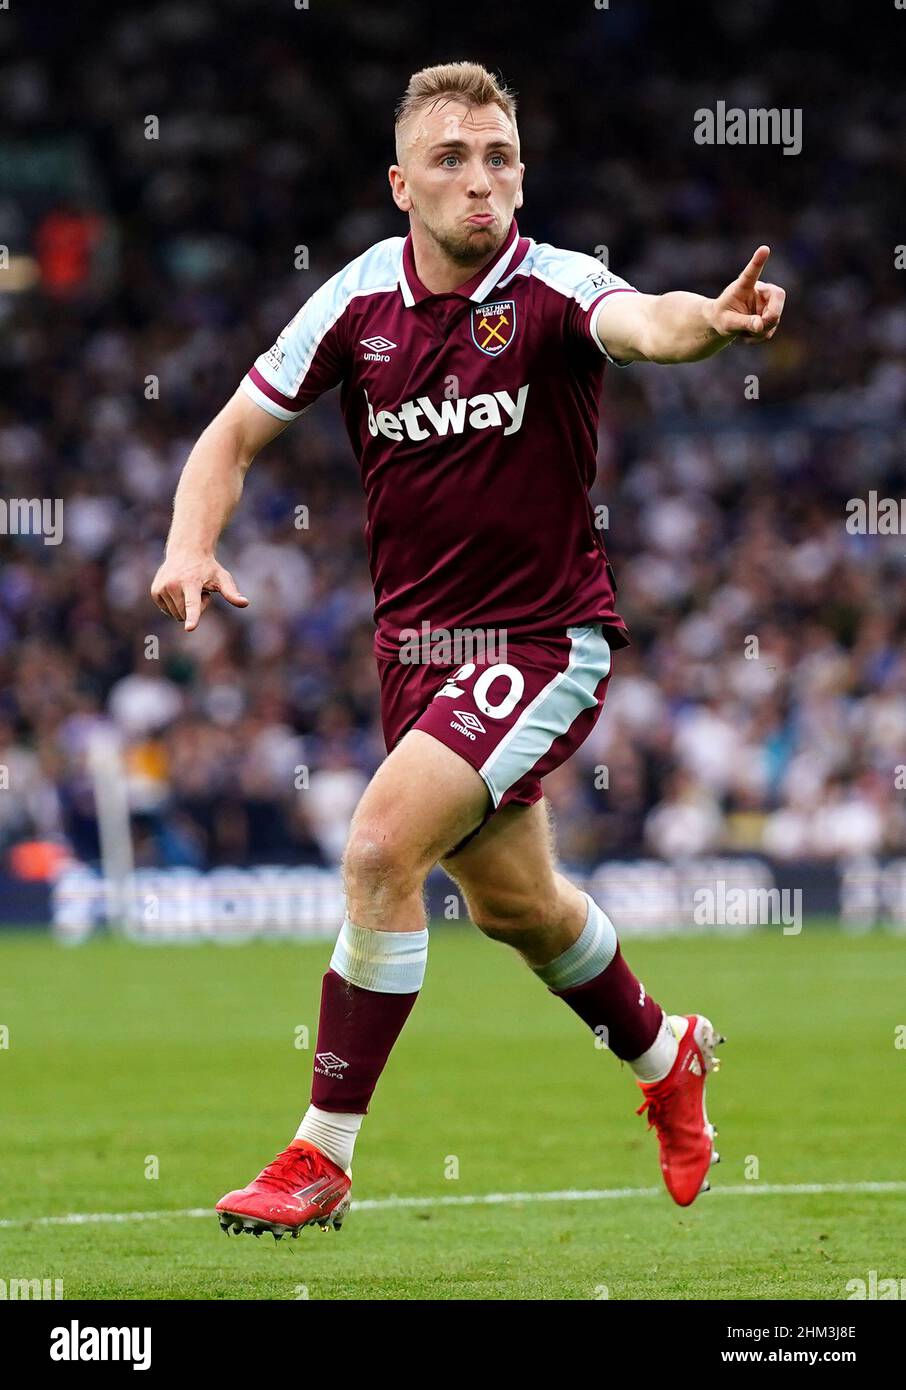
[{"x": 301, "y": 1188}]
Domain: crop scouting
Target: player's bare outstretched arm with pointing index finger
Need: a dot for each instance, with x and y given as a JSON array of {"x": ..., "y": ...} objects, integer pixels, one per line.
[{"x": 686, "y": 327}]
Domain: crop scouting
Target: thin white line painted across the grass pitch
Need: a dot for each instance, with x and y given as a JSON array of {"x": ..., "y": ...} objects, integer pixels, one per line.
[{"x": 580, "y": 1195}]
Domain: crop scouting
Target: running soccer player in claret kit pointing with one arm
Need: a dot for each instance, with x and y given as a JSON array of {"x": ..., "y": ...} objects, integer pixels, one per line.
[{"x": 470, "y": 363}]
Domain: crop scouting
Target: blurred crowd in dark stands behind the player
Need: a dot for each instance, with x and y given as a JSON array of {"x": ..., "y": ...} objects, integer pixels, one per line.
[{"x": 762, "y": 704}]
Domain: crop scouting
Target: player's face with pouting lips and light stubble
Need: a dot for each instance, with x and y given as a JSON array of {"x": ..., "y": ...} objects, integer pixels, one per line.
[{"x": 461, "y": 177}]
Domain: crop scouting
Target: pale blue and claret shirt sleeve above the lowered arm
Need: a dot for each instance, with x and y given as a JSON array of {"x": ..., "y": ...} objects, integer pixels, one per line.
[{"x": 308, "y": 359}]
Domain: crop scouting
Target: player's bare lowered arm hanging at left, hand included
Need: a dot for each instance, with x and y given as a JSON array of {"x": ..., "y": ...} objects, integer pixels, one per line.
[{"x": 209, "y": 493}]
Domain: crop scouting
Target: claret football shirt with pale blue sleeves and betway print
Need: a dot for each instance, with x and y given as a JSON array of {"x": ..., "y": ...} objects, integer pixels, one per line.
[{"x": 475, "y": 420}]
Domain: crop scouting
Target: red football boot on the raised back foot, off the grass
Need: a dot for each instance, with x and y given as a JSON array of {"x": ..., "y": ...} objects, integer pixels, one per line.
[{"x": 676, "y": 1110}]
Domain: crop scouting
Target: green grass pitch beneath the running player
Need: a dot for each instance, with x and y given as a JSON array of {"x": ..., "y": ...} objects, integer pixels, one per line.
[{"x": 127, "y": 1061}]
